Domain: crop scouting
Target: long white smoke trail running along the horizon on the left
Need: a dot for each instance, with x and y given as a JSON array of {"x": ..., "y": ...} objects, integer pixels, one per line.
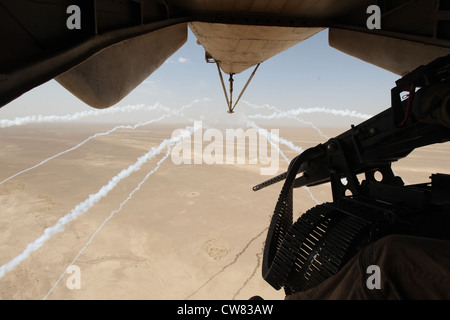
[{"x": 90, "y": 113}]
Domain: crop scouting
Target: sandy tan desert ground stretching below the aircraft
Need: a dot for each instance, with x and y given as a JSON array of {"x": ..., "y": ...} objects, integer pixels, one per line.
[{"x": 190, "y": 232}]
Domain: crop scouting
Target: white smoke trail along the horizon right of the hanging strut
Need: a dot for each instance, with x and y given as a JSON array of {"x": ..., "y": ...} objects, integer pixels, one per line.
[{"x": 295, "y": 112}]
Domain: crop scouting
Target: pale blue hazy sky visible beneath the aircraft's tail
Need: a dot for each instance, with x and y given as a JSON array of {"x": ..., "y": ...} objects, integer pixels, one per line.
[{"x": 311, "y": 74}]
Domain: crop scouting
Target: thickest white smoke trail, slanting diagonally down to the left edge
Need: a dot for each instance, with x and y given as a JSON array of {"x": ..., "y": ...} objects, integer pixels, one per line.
[{"x": 94, "y": 198}]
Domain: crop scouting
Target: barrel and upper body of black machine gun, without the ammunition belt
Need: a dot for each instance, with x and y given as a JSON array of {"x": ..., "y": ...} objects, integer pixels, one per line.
[{"x": 373, "y": 145}]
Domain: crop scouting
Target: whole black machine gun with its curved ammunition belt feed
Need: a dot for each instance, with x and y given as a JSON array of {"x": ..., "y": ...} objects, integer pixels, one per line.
[{"x": 300, "y": 255}]
